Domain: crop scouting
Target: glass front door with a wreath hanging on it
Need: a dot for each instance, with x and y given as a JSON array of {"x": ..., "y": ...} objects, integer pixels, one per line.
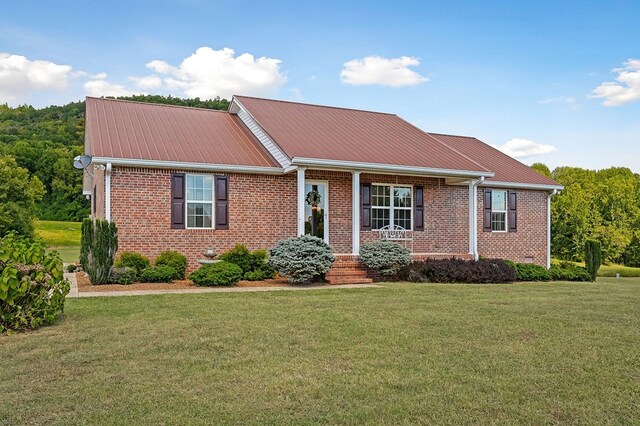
[{"x": 316, "y": 209}]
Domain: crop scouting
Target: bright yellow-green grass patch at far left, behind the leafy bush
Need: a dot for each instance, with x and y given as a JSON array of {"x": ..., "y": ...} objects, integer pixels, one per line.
[{"x": 64, "y": 237}]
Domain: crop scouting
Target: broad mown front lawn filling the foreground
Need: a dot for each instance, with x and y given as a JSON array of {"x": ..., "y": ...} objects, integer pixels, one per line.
[{"x": 403, "y": 353}]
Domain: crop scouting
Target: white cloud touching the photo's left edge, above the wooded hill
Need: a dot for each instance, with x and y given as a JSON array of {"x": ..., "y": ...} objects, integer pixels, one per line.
[{"x": 20, "y": 76}]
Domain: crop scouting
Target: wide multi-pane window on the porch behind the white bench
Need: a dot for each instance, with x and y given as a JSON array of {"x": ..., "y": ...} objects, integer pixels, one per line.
[{"x": 390, "y": 204}]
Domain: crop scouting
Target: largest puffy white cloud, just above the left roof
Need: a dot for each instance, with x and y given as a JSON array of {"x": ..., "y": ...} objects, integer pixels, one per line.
[{"x": 209, "y": 73}]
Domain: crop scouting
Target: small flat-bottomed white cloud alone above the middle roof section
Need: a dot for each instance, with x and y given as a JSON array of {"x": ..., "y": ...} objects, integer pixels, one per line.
[{"x": 377, "y": 70}]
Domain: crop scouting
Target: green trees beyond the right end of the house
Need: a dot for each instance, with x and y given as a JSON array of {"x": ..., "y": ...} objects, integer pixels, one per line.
[{"x": 602, "y": 205}]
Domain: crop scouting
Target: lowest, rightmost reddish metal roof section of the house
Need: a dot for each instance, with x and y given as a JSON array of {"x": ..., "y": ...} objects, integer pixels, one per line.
[{"x": 506, "y": 168}]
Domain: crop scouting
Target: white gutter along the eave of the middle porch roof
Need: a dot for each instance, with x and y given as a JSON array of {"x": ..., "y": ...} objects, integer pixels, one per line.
[{"x": 386, "y": 168}]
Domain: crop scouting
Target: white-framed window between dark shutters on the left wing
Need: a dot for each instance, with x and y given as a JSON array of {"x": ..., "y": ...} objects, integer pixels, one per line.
[{"x": 199, "y": 201}]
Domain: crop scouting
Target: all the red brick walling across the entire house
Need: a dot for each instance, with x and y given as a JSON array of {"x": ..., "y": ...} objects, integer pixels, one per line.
[{"x": 262, "y": 211}]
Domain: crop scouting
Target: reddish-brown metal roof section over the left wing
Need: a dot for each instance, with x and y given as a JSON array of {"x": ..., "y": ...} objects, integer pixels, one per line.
[{"x": 137, "y": 130}]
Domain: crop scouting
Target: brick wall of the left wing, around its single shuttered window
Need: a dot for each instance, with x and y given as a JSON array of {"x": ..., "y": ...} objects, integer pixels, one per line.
[{"x": 262, "y": 211}]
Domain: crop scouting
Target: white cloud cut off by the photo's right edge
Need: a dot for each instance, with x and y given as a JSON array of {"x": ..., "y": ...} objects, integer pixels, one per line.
[{"x": 625, "y": 89}]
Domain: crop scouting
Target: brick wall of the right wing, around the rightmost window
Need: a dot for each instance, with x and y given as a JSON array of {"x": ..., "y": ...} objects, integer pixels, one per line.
[{"x": 530, "y": 241}]
